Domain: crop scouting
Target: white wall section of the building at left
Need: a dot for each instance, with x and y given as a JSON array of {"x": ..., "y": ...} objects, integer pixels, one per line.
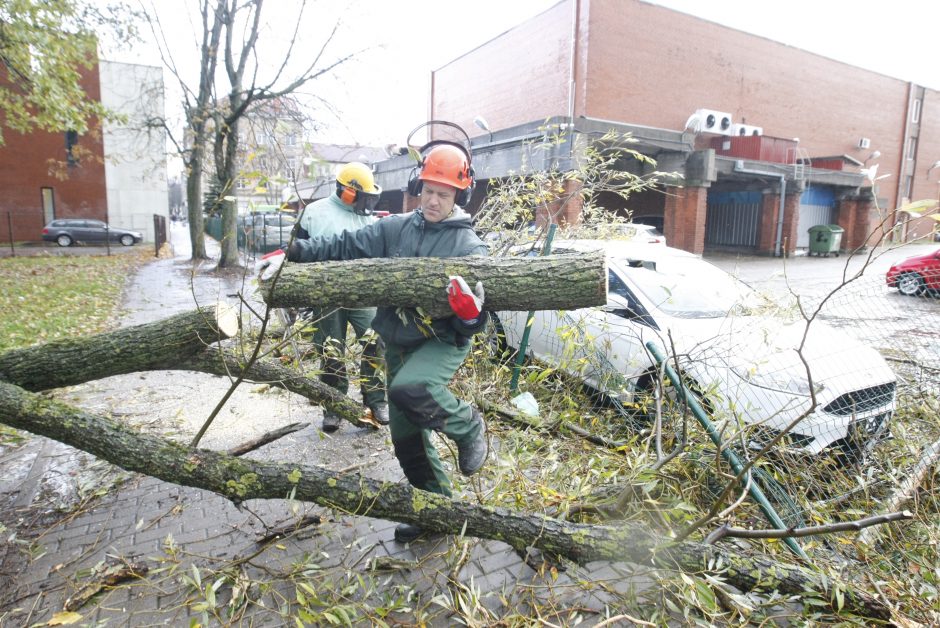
[{"x": 135, "y": 155}]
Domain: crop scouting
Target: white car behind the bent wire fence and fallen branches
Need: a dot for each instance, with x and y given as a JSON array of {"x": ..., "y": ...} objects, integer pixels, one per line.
[{"x": 728, "y": 340}]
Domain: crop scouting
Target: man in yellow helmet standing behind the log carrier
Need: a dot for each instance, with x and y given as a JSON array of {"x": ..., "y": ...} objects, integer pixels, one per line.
[{"x": 348, "y": 209}]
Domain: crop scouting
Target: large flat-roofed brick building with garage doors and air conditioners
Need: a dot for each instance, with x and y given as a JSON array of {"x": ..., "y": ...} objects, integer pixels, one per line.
[{"x": 799, "y": 127}]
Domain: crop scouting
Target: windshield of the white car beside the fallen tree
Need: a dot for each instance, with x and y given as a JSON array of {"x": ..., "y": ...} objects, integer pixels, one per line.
[{"x": 686, "y": 287}]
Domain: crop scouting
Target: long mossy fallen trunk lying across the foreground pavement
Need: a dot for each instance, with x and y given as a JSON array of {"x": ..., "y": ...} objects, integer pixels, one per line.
[{"x": 239, "y": 480}]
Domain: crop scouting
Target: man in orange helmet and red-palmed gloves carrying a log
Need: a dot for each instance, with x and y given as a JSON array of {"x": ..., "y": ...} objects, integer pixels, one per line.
[{"x": 422, "y": 354}]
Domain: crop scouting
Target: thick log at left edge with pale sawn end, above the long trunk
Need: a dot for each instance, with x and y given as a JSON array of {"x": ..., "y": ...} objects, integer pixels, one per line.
[{"x": 152, "y": 346}]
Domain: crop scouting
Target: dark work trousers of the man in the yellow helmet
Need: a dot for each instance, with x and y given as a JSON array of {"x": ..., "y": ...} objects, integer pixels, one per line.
[{"x": 330, "y": 340}]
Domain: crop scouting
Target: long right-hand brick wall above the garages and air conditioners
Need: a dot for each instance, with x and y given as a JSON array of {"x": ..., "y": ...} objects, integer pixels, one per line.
[{"x": 655, "y": 66}]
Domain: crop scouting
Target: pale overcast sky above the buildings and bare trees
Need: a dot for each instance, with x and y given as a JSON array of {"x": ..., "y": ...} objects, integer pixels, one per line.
[{"x": 381, "y": 95}]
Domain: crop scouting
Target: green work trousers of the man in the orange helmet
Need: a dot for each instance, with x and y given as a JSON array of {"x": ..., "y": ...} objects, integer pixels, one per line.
[{"x": 419, "y": 401}]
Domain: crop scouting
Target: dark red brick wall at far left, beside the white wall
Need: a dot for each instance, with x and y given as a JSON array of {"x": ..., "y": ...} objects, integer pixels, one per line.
[{"x": 24, "y": 171}]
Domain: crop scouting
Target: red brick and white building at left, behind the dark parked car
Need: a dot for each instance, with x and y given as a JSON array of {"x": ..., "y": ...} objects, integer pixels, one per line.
[{"x": 114, "y": 172}]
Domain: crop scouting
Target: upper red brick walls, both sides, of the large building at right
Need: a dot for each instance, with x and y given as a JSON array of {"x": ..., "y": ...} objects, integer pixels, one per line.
[{"x": 645, "y": 64}]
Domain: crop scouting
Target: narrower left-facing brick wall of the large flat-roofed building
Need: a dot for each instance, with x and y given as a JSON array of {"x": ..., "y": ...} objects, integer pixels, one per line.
[{"x": 520, "y": 76}]
